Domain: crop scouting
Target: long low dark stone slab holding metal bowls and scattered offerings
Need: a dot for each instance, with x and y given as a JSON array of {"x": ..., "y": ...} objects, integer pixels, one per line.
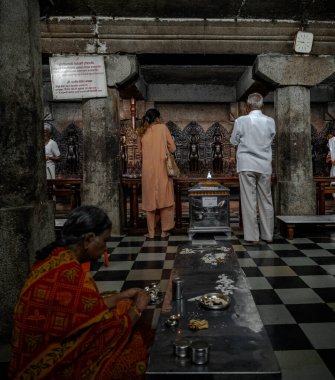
[{"x": 239, "y": 345}]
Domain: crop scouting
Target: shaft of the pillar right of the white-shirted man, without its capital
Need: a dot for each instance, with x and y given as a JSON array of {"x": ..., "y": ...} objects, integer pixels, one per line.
[{"x": 295, "y": 186}]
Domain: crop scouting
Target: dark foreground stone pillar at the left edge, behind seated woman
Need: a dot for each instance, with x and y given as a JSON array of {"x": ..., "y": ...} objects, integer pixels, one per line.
[{"x": 26, "y": 217}]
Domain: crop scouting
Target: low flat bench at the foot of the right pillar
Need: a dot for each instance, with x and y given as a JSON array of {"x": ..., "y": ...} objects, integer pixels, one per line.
[{"x": 290, "y": 221}]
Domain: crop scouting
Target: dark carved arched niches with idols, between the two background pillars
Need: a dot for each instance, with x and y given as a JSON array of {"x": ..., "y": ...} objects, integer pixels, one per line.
[{"x": 197, "y": 150}]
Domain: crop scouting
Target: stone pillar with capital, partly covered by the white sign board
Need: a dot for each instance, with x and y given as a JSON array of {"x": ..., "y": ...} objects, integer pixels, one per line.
[{"x": 101, "y": 142}]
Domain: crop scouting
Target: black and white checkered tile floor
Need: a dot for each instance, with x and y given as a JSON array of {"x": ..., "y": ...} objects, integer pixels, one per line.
[{"x": 292, "y": 283}]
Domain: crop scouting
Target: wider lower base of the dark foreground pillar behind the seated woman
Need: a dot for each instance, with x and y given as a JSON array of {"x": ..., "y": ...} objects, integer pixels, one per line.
[{"x": 23, "y": 230}]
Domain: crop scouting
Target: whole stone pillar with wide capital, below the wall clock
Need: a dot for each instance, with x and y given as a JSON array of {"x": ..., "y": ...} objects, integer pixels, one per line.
[{"x": 293, "y": 76}]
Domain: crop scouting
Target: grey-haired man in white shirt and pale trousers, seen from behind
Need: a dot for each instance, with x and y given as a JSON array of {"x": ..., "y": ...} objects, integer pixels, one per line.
[{"x": 253, "y": 134}]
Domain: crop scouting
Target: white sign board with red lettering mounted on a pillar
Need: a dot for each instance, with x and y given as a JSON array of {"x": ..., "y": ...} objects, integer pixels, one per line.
[{"x": 78, "y": 77}]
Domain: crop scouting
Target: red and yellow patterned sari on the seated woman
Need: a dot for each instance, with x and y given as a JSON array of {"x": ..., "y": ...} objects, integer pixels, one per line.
[{"x": 63, "y": 329}]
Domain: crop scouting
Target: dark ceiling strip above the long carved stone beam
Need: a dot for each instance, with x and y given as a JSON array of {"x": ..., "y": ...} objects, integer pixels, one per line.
[{"x": 300, "y": 10}]
